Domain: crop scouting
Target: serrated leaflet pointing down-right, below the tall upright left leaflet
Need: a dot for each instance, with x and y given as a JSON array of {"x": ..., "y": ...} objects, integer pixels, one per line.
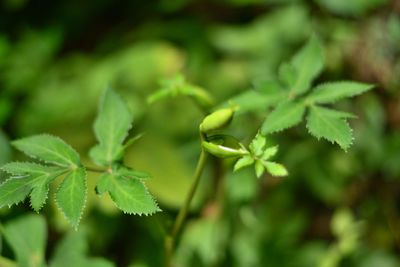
[{"x": 129, "y": 194}]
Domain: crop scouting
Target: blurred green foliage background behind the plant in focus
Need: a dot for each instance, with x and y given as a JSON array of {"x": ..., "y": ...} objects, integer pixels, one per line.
[{"x": 335, "y": 208}]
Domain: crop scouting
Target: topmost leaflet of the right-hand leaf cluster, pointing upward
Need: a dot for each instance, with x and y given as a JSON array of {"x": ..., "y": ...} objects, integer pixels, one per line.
[{"x": 307, "y": 64}]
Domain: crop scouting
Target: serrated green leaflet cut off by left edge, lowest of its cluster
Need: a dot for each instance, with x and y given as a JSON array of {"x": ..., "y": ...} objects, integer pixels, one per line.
[{"x": 13, "y": 191}]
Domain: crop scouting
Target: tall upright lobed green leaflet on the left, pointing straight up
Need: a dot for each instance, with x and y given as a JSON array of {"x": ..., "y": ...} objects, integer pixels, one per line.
[{"x": 111, "y": 128}]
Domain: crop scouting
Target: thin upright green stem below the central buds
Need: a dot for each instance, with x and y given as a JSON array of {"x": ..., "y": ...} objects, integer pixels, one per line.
[{"x": 171, "y": 238}]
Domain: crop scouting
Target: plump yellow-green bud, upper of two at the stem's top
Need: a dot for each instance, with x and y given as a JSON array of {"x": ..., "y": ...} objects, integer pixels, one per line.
[{"x": 217, "y": 120}]
